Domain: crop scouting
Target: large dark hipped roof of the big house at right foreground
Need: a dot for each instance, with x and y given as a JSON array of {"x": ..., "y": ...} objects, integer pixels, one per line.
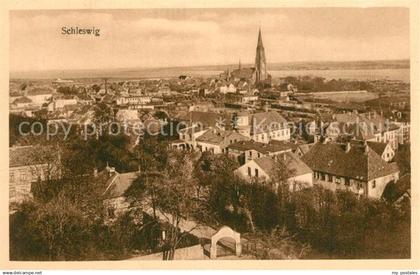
[{"x": 357, "y": 163}]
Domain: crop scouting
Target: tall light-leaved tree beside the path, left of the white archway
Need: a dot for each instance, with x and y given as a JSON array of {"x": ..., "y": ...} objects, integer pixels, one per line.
[{"x": 169, "y": 191}]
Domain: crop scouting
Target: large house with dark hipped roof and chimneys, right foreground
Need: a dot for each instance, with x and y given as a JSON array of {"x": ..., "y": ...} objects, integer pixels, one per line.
[{"x": 356, "y": 168}]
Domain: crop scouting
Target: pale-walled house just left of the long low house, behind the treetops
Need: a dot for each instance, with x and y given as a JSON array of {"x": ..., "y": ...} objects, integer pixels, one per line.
[{"x": 217, "y": 141}]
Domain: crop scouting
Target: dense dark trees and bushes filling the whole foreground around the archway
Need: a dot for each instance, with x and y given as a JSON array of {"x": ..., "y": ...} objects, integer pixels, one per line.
[{"x": 65, "y": 220}]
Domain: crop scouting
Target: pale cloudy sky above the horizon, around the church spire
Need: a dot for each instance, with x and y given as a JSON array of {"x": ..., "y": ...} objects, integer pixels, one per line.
[{"x": 188, "y": 37}]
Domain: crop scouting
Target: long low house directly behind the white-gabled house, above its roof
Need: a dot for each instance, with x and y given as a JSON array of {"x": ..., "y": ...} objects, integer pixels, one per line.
[{"x": 247, "y": 150}]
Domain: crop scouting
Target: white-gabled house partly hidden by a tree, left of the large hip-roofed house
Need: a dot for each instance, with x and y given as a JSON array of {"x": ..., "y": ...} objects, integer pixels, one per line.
[{"x": 264, "y": 169}]
